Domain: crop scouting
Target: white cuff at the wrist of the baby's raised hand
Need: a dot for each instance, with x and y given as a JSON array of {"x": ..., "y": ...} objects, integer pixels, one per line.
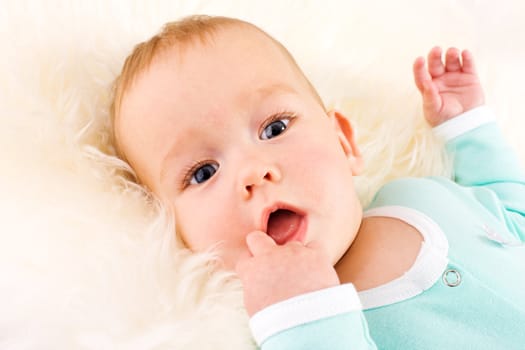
[{"x": 464, "y": 122}]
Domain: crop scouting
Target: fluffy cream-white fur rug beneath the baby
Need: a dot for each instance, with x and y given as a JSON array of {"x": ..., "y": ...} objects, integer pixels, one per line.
[{"x": 89, "y": 261}]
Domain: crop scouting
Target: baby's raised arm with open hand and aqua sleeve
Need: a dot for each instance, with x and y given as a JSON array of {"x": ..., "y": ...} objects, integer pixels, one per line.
[{"x": 483, "y": 160}]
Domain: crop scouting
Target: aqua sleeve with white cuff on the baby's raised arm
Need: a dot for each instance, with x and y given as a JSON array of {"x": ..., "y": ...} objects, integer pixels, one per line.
[{"x": 484, "y": 161}]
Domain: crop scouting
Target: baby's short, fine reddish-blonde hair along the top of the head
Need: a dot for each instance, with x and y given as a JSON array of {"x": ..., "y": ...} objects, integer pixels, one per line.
[{"x": 178, "y": 34}]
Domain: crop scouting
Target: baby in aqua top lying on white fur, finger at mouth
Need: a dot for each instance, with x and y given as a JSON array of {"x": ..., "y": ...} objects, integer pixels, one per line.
[{"x": 220, "y": 123}]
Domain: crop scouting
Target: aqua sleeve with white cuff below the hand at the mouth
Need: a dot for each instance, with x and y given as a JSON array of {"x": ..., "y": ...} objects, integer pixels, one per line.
[{"x": 326, "y": 319}]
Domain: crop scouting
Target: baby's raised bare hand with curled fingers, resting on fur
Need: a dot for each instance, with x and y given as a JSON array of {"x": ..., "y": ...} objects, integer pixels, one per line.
[{"x": 448, "y": 88}]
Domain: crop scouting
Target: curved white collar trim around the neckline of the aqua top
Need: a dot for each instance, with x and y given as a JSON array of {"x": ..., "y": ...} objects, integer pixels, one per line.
[{"x": 427, "y": 269}]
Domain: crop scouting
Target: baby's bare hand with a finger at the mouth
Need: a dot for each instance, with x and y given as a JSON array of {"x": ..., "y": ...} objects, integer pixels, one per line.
[{"x": 274, "y": 273}]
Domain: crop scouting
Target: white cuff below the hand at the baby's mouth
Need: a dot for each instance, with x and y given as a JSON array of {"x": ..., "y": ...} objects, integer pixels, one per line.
[{"x": 302, "y": 309}]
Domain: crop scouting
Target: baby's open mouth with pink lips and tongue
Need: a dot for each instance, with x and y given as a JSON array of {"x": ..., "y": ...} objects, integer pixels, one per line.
[{"x": 285, "y": 225}]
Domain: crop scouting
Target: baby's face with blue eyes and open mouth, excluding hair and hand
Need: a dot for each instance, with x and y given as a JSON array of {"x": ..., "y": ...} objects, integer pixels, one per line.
[{"x": 229, "y": 135}]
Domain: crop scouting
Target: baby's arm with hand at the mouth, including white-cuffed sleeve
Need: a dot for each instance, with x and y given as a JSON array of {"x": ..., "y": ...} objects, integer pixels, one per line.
[{"x": 295, "y": 301}]
